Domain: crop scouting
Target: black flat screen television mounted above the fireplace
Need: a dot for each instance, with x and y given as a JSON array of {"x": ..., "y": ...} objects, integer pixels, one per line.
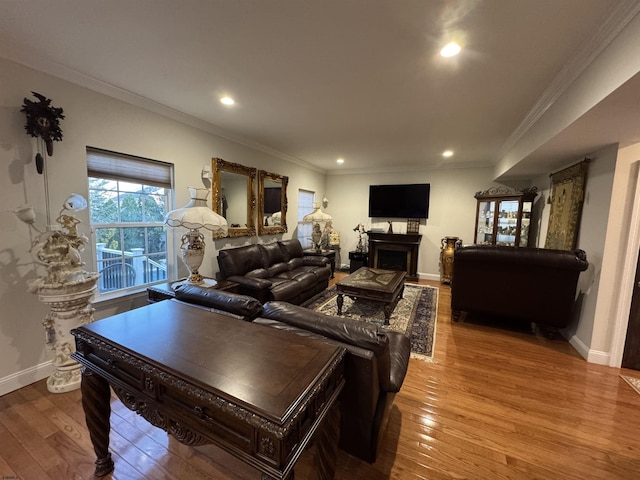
[{"x": 399, "y": 201}]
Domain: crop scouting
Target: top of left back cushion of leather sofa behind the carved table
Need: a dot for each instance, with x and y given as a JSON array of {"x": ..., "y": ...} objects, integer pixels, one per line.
[{"x": 241, "y": 305}]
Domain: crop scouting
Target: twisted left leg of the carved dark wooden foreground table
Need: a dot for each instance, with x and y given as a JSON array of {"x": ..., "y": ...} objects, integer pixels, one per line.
[{"x": 96, "y": 403}]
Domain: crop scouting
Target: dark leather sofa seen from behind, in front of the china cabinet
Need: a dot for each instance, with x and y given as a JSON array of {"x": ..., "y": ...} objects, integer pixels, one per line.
[{"x": 531, "y": 284}]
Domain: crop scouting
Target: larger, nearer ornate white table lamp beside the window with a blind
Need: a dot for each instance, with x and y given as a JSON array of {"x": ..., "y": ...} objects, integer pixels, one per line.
[{"x": 194, "y": 216}]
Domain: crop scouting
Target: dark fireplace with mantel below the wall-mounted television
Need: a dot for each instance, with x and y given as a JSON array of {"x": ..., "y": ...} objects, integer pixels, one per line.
[{"x": 392, "y": 251}]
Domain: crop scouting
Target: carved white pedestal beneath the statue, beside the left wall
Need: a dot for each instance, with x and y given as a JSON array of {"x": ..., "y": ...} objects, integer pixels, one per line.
[{"x": 70, "y": 308}]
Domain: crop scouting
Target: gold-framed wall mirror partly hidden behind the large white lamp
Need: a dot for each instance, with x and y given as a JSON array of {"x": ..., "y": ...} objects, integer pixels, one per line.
[{"x": 234, "y": 196}]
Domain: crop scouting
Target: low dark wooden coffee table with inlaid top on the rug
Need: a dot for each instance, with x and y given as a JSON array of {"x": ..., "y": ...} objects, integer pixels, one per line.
[{"x": 385, "y": 286}]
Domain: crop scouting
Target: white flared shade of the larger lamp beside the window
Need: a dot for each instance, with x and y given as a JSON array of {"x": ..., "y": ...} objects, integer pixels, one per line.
[{"x": 196, "y": 214}]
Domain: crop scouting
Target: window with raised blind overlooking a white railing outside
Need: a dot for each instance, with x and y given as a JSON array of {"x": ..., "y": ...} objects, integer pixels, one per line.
[{"x": 128, "y": 198}]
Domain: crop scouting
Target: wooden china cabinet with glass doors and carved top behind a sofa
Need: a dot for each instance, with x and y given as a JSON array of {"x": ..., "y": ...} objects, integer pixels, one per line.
[{"x": 503, "y": 216}]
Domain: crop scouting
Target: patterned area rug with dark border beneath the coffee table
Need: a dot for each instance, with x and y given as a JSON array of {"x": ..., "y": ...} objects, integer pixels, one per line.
[{"x": 415, "y": 315}]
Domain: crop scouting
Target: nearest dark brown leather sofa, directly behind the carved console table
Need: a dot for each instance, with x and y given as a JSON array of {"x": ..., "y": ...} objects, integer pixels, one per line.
[{"x": 376, "y": 360}]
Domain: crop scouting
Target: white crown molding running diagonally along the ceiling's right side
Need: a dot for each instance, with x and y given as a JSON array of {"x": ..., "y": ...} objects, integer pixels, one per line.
[{"x": 585, "y": 55}]
